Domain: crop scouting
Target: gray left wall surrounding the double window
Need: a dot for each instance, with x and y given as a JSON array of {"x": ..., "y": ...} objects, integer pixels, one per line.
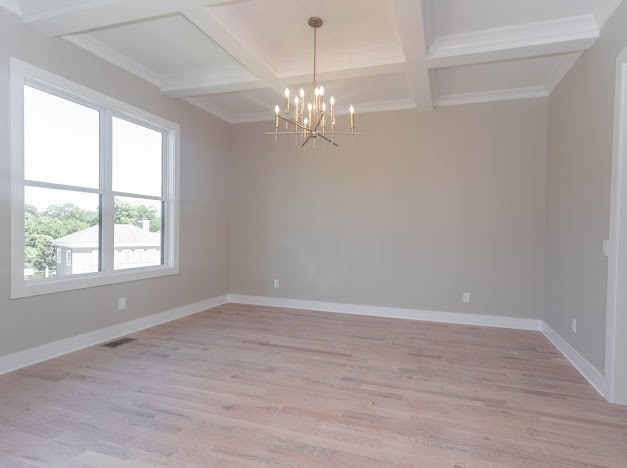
[{"x": 29, "y": 322}]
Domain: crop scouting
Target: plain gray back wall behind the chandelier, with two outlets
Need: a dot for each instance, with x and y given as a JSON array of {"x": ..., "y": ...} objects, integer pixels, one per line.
[{"x": 423, "y": 207}]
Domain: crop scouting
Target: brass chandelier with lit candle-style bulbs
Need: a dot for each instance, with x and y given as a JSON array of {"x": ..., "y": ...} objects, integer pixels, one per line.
[{"x": 314, "y": 120}]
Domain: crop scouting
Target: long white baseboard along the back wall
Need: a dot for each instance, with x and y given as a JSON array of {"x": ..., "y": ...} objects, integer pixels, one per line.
[{"x": 392, "y": 312}]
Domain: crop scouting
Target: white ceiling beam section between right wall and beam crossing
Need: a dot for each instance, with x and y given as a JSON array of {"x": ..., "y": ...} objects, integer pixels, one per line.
[{"x": 561, "y": 36}]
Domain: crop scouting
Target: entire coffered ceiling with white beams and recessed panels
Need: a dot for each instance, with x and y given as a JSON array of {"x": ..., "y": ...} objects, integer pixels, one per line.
[{"x": 233, "y": 58}]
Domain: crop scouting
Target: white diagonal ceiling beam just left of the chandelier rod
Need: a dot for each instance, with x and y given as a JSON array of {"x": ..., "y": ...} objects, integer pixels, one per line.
[{"x": 226, "y": 39}]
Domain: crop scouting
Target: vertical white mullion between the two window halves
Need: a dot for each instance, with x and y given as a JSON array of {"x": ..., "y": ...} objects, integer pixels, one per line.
[{"x": 106, "y": 193}]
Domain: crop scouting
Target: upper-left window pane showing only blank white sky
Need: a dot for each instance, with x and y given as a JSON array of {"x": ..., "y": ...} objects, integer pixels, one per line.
[{"x": 61, "y": 140}]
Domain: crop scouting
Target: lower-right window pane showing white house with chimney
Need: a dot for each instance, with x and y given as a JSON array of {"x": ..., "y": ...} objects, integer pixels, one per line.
[{"x": 137, "y": 233}]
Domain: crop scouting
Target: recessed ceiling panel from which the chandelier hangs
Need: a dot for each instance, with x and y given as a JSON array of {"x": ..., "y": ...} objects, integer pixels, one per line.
[{"x": 277, "y": 30}]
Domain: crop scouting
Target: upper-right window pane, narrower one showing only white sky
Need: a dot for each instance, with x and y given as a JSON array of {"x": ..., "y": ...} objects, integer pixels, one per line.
[{"x": 137, "y": 158}]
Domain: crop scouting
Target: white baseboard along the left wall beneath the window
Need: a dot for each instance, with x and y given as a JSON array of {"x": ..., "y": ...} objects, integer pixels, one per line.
[{"x": 31, "y": 356}]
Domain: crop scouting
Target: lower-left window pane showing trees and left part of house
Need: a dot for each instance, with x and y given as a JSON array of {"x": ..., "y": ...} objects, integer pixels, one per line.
[{"x": 61, "y": 231}]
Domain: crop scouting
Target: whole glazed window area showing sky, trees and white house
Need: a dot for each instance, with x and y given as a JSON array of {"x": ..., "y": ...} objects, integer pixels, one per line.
[{"x": 70, "y": 204}]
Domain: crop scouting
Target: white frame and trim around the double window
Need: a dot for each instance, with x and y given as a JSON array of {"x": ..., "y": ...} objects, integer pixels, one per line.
[{"x": 22, "y": 73}]
